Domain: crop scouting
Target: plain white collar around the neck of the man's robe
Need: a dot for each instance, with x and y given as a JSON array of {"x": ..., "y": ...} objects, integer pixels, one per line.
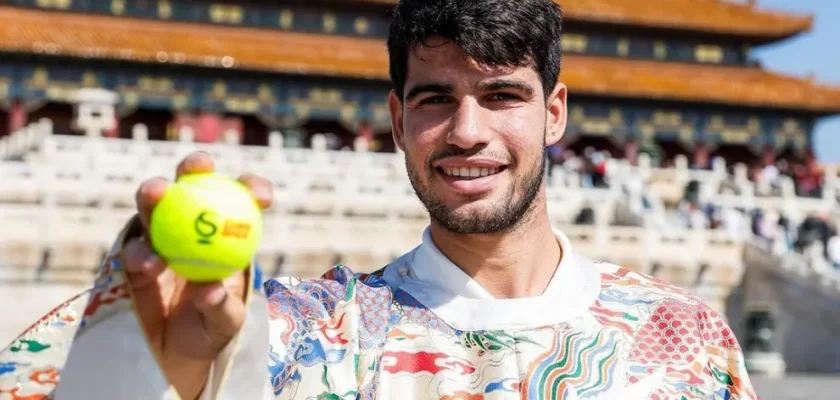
[{"x": 432, "y": 279}]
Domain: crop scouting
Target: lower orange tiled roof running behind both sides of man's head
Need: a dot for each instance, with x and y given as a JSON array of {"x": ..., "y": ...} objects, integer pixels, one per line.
[{"x": 311, "y": 54}]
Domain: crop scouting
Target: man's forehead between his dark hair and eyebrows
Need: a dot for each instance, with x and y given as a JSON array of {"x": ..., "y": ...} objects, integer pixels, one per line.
[{"x": 439, "y": 60}]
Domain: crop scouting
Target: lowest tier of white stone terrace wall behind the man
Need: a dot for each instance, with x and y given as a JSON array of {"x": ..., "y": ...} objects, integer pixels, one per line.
[{"x": 34, "y": 227}]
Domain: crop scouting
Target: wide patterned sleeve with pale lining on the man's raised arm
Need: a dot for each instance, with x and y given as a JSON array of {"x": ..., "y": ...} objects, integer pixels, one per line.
[{"x": 95, "y": 345}]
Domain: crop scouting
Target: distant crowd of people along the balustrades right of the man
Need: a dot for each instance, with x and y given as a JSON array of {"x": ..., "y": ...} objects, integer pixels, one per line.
[{"x": 816, "y": 235}]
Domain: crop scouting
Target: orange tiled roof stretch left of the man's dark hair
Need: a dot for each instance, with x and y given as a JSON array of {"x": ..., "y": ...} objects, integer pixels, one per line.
[{"x": 24, "y": 30}]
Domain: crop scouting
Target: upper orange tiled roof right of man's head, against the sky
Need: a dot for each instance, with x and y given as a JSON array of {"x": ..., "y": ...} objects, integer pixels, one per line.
[{"x": 718, "y": 16}]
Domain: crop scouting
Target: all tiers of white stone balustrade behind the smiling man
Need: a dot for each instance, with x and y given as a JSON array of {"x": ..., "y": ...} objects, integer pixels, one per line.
[{"x": 325, "y": 194}]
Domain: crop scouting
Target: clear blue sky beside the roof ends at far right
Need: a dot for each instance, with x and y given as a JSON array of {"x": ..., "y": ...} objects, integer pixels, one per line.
[{"x": 815, "y": 52}]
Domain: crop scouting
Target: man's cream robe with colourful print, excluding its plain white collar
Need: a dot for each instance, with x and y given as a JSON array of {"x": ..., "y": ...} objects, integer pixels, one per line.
[{"x": 349, "y": 336}]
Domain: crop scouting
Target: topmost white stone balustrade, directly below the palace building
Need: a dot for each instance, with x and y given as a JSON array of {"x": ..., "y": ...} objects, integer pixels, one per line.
[{"x": 126, "y": 159}]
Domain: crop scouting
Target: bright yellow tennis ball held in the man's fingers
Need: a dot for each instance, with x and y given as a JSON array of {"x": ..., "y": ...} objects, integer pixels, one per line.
[{"x": 206, "y": 227}]
